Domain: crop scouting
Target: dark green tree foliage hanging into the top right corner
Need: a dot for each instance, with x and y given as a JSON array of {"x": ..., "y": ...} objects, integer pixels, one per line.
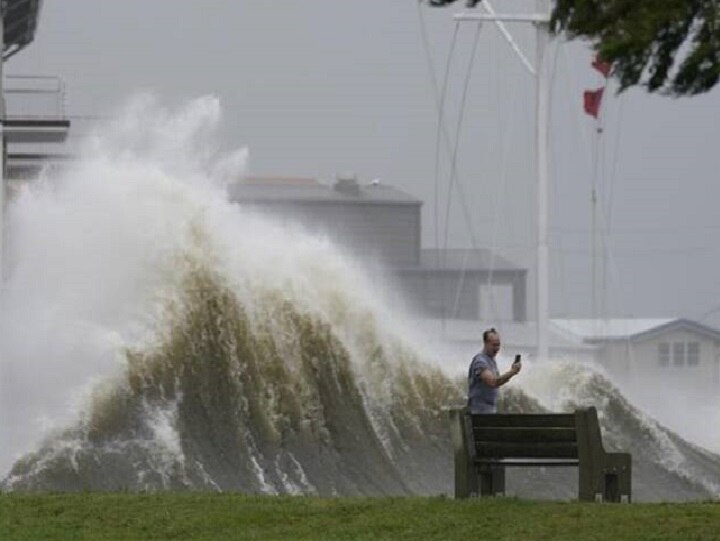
[{"x": 669, "y": 46}]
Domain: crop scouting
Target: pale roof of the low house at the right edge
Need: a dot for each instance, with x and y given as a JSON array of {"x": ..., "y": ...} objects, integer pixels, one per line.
[{"x": 596, "y": 330}]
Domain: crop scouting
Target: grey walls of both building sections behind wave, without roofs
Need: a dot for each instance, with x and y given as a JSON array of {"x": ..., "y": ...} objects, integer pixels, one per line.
[{"x": 388, "y": 232}]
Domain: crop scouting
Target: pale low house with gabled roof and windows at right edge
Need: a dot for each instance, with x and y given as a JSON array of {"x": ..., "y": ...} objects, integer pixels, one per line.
[{"x": 653, "y": 352}]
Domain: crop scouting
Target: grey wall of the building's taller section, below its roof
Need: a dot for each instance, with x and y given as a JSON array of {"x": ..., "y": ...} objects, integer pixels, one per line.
[{"x": 381, "y": 232}]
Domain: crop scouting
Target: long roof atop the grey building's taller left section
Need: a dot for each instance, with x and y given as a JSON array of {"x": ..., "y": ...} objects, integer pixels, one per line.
[{"x": 309, "y": 190}]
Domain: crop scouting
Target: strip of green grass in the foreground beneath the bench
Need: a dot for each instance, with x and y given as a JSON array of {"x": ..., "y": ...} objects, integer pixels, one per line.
[{"x": 205, "y": 516}]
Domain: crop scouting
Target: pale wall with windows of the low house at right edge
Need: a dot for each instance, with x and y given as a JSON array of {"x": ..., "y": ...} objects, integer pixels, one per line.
[{"x": 641, "y": 361}]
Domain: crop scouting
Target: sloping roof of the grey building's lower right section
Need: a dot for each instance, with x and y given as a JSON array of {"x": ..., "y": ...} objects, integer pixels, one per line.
[{"x": 460, "y": 260}]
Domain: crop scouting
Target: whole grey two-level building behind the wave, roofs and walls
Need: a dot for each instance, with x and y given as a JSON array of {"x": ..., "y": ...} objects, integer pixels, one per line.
[{"x": 382, "y": 225}]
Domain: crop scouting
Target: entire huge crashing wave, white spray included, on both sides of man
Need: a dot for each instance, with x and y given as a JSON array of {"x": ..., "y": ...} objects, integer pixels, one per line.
[{"x": 206, "y": 348}]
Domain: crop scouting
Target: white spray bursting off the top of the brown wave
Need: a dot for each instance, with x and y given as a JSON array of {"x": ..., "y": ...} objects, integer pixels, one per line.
[{"x": 95, "y": 254}]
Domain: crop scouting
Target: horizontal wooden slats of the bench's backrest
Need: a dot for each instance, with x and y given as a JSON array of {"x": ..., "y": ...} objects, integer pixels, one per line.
[{"x": 522, "y": 436}]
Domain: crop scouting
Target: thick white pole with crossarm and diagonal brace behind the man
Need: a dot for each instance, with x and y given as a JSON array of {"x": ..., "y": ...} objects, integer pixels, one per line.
[{"x": 541, "y": 20}]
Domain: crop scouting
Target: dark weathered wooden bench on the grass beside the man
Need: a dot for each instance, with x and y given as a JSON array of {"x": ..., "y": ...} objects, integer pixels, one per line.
[{"x": 486, "y": 444}]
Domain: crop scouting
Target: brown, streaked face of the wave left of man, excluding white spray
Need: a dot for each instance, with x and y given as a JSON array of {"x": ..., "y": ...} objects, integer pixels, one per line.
[{"x": 266, "y": 399}]
